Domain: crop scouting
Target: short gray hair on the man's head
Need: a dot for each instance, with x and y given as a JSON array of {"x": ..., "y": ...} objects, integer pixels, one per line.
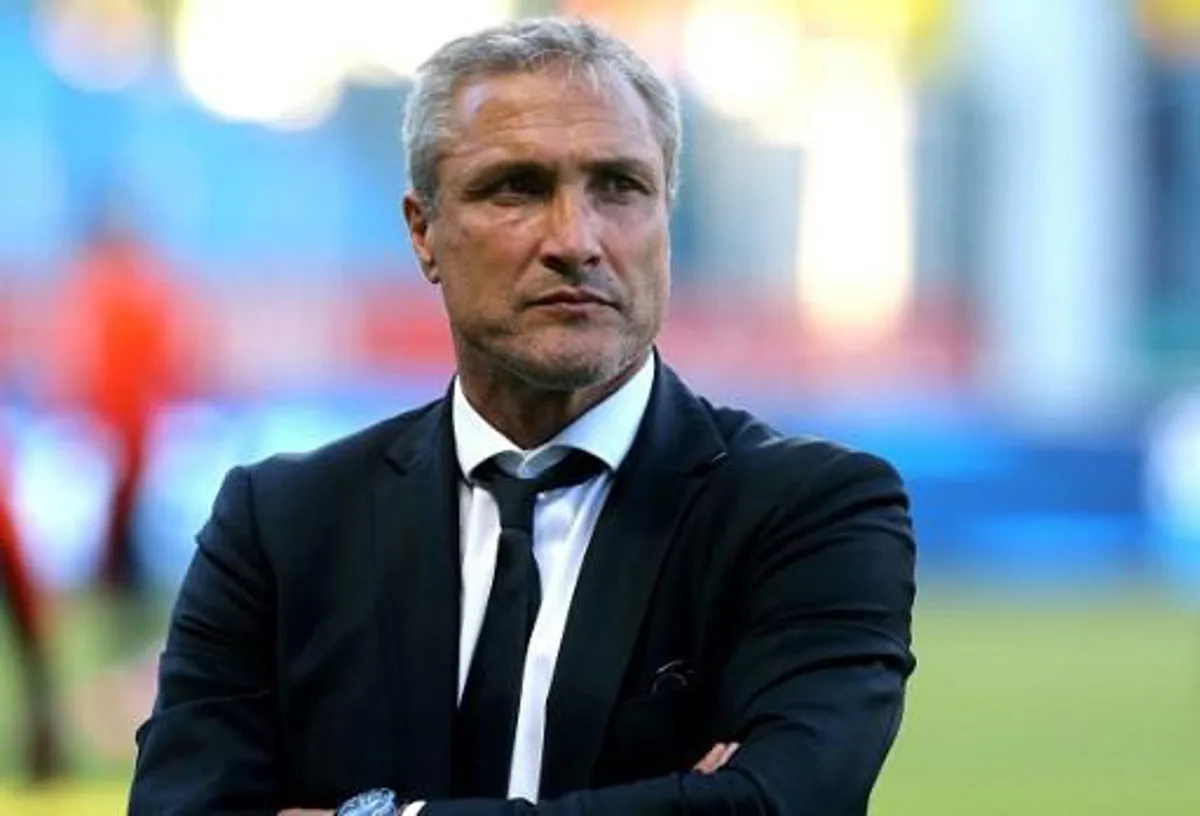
[{"x": 529, "y": 46}]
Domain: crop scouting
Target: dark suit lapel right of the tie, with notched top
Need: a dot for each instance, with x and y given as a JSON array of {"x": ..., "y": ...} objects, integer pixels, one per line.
[{"x": 656, "y": 483}]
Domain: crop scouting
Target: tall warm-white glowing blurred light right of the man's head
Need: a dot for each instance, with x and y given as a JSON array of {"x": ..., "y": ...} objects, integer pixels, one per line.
[{"x": 855, "y": 255}]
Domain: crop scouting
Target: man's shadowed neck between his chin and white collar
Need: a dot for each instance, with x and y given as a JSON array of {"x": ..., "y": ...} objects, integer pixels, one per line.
[{"x": 530, "y": 415}]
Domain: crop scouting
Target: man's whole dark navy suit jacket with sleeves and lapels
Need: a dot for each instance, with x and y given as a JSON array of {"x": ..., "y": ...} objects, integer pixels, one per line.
[{"x": 741, "y": 586}]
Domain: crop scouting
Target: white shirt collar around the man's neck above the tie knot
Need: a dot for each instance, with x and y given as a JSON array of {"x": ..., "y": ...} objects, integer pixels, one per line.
[{"x": 607, "y": 431}]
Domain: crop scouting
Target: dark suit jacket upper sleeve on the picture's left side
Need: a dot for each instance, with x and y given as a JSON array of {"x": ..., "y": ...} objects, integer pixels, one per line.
[{"x": 212, "y": 743}]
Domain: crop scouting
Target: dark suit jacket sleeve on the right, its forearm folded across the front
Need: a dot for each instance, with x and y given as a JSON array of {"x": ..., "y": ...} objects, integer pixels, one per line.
[{"x": 815, "y": 686}]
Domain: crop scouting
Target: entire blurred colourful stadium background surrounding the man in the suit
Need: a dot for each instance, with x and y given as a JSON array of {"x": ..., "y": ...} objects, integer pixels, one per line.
[{"x": 964, "y": 235}]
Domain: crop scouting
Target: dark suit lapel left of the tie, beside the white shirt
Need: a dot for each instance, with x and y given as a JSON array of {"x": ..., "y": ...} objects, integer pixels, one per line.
[{"x": 416, "y": 535}]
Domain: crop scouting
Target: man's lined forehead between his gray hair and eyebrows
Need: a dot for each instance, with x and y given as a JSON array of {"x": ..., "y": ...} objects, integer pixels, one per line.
[{"x": 550, "y": 116}]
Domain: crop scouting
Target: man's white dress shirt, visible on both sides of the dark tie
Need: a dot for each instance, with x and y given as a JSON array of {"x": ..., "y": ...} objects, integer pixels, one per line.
[{"x": 563, "y": 525}]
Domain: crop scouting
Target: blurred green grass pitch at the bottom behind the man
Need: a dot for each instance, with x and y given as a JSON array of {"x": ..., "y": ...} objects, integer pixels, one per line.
[{"x": 1018, "y": 709}]
